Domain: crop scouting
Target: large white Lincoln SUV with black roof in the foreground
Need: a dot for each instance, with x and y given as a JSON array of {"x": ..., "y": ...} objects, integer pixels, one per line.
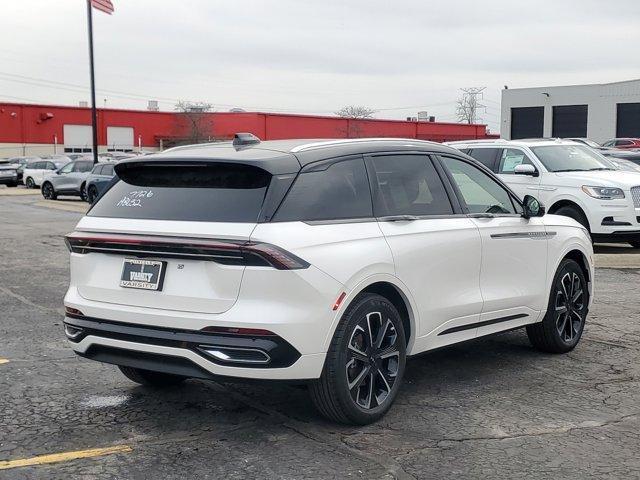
[{"x": 323, "y": 261}]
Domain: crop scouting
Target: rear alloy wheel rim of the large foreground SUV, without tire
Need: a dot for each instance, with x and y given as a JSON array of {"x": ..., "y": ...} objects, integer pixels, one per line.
[{"x": 373, "y": 361}]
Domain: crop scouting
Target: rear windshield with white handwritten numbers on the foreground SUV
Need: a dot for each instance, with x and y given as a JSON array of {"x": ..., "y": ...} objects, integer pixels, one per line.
[{"x": 213, "y": 192}]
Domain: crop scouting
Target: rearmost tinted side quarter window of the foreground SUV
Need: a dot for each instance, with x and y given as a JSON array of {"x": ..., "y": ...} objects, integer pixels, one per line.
[{"x": 341, "y": 191}]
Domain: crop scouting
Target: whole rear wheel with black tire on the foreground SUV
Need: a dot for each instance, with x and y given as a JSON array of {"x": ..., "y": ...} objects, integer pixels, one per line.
[{"x": 377, "y": 370}]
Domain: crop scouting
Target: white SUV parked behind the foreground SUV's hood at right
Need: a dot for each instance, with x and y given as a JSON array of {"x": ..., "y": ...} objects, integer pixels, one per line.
[{"x": 570, "y": 179}]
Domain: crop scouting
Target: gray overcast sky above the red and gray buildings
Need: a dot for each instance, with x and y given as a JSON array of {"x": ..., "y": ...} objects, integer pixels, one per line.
[{"x": 313, "y": 57}]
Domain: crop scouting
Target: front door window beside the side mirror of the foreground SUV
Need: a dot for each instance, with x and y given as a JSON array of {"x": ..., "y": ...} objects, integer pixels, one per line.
[{"x": 481, "y": 193}]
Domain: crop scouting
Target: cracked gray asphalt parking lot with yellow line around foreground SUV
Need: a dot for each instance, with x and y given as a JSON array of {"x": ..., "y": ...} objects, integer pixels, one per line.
[{"x": 493, "y": 408}]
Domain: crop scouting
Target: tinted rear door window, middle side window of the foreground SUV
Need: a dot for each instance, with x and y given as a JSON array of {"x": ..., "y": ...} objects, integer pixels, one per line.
[{"x": 407, "y": 185}]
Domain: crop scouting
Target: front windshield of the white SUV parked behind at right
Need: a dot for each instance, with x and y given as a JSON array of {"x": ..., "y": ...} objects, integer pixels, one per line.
[{"x": 571, "y": 158}]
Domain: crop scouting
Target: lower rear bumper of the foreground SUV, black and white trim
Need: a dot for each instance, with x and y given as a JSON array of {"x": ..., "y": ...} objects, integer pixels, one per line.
[{"x": 190, "y": 353}]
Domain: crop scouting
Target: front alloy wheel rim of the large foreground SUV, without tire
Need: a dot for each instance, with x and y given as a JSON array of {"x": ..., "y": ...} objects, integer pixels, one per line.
[{"x": 569, "y": 307}]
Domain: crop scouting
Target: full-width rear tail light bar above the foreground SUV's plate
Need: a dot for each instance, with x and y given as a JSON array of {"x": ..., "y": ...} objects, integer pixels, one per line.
[{"x": 226, "y": 252}]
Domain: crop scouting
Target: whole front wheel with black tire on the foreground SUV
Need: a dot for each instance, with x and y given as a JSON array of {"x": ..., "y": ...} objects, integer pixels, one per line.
[{"x": 562, "y": 327}]
